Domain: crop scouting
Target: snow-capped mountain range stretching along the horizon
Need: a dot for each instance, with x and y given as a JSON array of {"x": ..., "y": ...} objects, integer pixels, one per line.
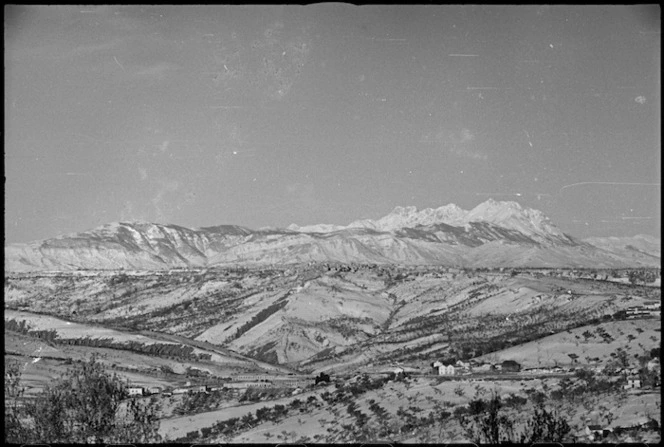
[{"x": 493, "y": 234}]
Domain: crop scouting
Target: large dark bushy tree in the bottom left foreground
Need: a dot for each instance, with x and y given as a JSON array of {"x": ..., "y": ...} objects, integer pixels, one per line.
[{"x": 86, "y": 404}]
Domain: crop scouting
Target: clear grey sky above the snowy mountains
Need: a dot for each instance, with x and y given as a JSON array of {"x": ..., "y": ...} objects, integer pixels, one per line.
[{"x": 270, "y": 115}]
